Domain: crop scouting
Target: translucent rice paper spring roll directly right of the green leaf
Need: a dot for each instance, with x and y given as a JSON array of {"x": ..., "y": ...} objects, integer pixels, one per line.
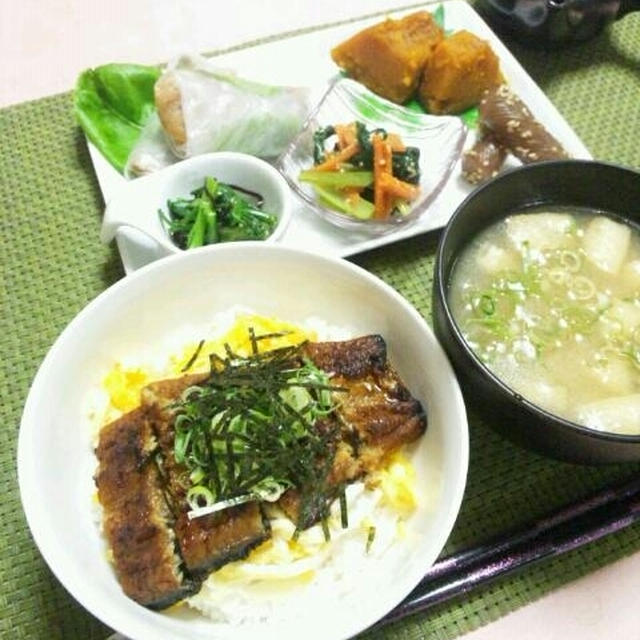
[{"x": 204, "y": 109}]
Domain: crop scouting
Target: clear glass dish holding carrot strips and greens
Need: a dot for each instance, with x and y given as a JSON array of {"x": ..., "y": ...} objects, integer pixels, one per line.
[{"x": 439, "y": 138}]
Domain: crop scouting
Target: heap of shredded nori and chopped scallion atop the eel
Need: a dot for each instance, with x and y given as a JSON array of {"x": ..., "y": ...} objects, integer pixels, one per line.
[{"x": 241, "y": 426}]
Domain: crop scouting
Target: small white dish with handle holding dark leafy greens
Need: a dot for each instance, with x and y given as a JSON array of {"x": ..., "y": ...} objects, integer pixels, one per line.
[{"x": 137, "y": 204}]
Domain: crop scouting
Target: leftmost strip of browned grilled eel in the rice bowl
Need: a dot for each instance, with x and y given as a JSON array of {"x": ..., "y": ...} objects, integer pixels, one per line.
[{"x": 136, "y": 519}]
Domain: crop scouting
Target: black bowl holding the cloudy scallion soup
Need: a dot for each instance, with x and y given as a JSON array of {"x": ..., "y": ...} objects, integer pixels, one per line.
[{"x": 606, "y": 188}]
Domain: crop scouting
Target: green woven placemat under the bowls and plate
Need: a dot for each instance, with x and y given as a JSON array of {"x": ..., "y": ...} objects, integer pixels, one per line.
[{"x": 52, "y": 264}]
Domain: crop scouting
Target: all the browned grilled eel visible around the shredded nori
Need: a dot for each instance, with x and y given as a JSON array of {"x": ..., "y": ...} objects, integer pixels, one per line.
[{"x": 375, "y": 417}]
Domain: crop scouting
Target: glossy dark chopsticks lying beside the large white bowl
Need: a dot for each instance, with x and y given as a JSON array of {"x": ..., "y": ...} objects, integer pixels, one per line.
[{"x": 573, "y": 526}]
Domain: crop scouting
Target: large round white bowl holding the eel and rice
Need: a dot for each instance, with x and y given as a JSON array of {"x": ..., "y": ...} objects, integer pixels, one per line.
[{"x": 172, "y": 302}]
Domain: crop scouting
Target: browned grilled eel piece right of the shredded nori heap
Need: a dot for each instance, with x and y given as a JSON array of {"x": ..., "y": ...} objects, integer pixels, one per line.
[{"x": 376, "y": 416}]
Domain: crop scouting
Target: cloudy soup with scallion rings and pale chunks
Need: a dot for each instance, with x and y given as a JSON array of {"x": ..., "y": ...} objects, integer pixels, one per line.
[{"x": 550, "y": 302}]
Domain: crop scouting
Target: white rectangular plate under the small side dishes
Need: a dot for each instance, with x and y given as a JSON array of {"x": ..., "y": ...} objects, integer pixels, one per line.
[{"x": 304, "y": 60}]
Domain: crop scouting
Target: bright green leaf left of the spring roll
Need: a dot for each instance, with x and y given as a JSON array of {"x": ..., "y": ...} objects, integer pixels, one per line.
[{"x": 112, "y": 104}]
